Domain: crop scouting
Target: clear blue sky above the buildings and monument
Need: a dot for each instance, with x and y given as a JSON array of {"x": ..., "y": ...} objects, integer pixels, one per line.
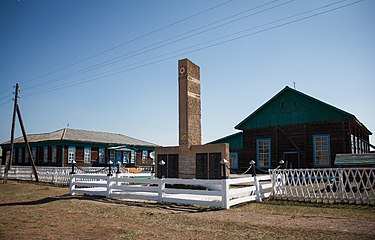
[{"x": 112, "y": 65}]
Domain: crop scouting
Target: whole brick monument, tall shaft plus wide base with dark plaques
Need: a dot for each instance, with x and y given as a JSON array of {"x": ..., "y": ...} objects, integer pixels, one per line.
[{"x": 191, "y": 159}]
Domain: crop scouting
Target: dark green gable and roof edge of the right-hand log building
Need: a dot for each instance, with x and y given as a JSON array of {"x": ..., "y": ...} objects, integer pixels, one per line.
[{"x": 289, "y": 107}]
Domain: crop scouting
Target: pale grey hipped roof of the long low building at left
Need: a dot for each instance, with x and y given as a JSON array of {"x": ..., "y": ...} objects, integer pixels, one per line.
[{"x": 76, "y": 135}]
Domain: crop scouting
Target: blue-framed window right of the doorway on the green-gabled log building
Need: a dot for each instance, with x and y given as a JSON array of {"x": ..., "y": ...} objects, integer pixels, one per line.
[{"x": 322, "y": 151}]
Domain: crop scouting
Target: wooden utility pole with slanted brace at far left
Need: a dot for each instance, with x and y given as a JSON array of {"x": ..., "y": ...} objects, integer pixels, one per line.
[{"x": 9, "y": 160}]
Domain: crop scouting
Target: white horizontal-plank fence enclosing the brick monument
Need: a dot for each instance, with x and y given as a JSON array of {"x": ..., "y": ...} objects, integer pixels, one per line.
[{"x": 214, "y": 193}]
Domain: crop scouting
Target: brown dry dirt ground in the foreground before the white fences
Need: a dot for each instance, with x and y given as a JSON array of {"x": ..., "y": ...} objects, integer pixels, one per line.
[{"x": 40, "y": 211}]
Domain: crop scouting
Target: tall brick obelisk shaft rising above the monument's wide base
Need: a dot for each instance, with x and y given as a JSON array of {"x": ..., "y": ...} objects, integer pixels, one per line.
[{"x": 189, "y": 103}]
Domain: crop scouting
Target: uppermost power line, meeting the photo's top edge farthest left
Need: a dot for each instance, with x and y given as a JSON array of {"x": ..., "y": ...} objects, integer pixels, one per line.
[{"x": 127, "y": 42}]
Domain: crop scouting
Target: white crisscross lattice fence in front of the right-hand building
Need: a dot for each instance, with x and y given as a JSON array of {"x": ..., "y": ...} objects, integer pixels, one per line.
[{"x": 331, "y": 185}]
